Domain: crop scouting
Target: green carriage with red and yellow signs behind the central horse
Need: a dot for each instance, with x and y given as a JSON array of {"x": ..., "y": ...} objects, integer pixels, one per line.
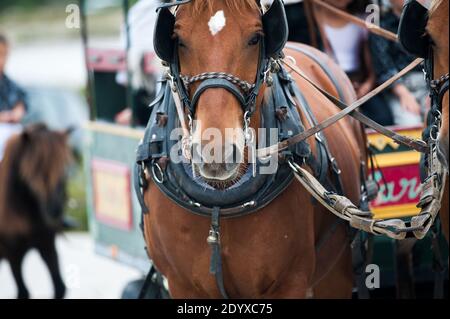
[{"x": 115, "y": 213}]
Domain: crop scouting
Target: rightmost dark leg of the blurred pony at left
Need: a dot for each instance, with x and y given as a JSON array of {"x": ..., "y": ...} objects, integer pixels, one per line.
[{"x": 48, "y": 253}]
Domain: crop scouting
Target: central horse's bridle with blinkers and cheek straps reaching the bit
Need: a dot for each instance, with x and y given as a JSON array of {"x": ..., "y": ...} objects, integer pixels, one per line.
[{"x": 245, "y": 93}]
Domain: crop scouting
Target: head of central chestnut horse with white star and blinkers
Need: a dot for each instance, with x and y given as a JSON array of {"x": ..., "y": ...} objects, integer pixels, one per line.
[{"x": 221, "y": 50}]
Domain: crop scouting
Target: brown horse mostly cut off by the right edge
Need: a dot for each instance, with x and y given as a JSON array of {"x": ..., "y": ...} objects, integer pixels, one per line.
[{"x": 438, "y": 28}]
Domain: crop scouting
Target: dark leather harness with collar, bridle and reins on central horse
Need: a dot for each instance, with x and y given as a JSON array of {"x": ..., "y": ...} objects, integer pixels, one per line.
[{"x": 173, "y": 174}]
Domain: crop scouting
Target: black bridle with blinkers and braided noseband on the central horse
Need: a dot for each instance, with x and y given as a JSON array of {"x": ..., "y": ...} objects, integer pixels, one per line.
[{"x": 246, "y": 93}]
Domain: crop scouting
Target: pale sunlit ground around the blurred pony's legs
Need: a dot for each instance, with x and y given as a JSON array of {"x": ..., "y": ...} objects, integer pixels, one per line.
[{"x": 86, "y": 274}]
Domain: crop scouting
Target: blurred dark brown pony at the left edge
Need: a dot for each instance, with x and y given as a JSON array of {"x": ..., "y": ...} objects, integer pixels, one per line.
[{"x": 32, "y": 199}]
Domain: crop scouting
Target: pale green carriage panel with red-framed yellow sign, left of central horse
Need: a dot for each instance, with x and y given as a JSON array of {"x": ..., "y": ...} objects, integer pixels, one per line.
[{"x": 114, "y": 211}]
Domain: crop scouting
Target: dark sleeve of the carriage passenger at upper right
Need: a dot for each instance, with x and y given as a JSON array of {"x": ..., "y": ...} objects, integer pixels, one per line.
[{"x": 383, "y": 63}]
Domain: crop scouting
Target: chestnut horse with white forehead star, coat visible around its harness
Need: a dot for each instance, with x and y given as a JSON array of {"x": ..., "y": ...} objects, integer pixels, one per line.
[{"x": 271, "y": 253}]
